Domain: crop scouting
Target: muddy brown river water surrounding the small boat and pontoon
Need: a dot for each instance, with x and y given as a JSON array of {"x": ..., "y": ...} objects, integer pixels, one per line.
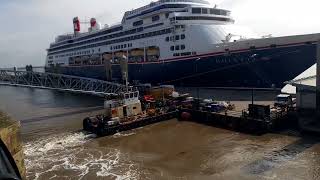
[{"x": 56, "y": 148}]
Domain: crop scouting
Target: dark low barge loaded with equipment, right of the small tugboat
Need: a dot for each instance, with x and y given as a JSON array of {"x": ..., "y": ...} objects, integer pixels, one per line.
[{"x": 257, "y": 119}]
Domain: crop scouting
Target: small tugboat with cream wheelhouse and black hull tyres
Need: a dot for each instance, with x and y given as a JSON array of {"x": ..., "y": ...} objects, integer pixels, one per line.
[{"x": 126, "y": 112}]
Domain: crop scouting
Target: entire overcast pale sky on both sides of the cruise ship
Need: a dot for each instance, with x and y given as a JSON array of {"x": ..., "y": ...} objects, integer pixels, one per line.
[{"x": 28, "y": 26}]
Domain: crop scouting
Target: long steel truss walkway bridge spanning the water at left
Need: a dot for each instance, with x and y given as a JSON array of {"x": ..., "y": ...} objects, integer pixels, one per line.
[{"x": 61, "y": 82}]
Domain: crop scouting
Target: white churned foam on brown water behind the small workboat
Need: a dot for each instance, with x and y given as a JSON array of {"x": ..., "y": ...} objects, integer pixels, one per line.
[{"x": 72, "y": 155}]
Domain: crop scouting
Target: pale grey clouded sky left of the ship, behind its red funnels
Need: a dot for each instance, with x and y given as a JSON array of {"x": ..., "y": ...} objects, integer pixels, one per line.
[{"x": 28, "y": 27}]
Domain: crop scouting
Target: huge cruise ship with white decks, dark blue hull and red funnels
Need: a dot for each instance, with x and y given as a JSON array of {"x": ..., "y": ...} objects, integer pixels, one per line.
[{"x": 181, "y": 42}]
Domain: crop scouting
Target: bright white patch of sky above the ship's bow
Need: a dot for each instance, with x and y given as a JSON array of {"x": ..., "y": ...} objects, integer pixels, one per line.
[{"x": 277, "y": 17}]
